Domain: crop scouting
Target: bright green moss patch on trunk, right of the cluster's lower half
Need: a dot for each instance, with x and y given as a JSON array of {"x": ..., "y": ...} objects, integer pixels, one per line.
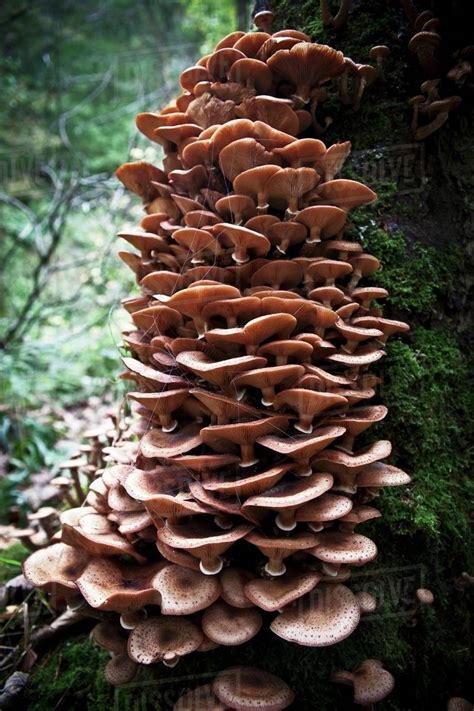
[{"x": 426, "y": 386}]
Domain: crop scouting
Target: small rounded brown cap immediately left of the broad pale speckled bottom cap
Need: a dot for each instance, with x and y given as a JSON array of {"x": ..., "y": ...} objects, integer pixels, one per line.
[{"x": 230, "y": 626}]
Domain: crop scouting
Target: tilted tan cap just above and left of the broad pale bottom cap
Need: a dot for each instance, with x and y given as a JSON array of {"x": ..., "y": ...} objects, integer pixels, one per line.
[{"x": 276, "y": 593}]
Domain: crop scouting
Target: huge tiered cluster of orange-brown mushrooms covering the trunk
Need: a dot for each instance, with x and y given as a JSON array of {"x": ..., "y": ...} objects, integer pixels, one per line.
[{"x": 249, "y": 364}]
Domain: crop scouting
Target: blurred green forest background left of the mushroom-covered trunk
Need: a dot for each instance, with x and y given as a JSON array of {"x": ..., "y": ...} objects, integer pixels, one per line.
[{"x": 73, "y": 77}]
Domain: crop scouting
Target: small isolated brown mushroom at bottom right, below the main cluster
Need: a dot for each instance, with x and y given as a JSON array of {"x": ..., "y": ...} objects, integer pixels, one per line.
[{"x": 371, "y": 682}]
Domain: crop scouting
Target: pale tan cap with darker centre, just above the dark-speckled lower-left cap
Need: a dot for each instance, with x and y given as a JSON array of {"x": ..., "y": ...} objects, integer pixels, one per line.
[{"x": 184, "y": 591}]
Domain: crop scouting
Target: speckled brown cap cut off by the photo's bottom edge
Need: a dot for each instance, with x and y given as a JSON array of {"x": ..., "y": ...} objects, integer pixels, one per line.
[{"x": 248, "y": 688}]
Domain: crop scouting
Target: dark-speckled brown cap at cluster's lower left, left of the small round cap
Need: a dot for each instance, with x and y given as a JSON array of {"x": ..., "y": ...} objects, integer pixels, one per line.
[{"x": 163, "y": 639}]
